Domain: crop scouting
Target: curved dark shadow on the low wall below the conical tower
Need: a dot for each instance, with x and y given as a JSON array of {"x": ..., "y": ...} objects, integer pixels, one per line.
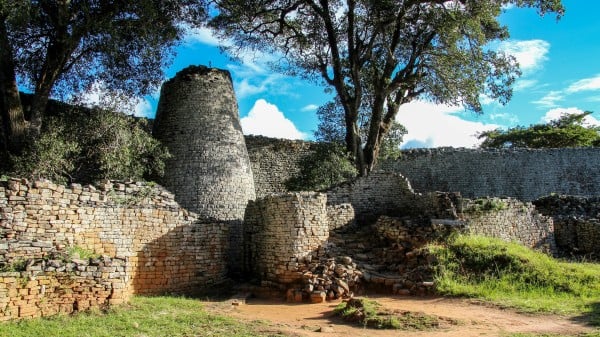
[{"x": 186, "y": 260}]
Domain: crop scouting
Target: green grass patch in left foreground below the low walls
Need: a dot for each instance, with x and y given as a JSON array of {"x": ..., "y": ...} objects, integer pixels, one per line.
[{"x": 142, "y": 317}]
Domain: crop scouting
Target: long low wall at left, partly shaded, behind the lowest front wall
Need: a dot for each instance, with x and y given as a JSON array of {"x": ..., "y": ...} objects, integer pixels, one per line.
[{"x": 165, "y": 248}]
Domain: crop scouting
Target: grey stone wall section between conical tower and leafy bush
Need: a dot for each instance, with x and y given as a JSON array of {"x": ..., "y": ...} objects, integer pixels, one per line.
[{"x": 275, "y": 161}]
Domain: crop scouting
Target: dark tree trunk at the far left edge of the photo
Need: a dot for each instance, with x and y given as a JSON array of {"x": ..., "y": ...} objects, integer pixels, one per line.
[{"x": 13, "y": 118}]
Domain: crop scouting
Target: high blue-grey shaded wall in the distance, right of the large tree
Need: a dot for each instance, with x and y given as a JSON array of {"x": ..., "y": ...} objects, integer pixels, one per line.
[{"x": 525, "y": 174}]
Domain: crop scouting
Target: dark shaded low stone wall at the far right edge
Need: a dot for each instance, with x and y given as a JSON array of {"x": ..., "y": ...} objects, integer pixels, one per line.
[{"x": 576, "y": 223}]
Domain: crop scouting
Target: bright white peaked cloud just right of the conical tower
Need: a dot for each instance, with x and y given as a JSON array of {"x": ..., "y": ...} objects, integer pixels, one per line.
[{"x": 267, "y": 120}]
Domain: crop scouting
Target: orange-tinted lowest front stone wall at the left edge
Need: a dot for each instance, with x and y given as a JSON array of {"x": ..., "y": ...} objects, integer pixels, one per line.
[{"x": 54, "y": 286}]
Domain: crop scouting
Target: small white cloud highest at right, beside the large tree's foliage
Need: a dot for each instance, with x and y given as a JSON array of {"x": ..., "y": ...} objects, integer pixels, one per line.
[{"x": 530, "y": 54}]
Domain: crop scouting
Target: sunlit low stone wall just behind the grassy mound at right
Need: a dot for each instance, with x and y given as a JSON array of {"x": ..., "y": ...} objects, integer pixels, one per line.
[{"x": 510, "y": 220}]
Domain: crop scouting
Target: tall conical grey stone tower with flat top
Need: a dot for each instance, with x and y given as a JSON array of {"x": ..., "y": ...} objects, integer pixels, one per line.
[{"x": 198, "y": 120}]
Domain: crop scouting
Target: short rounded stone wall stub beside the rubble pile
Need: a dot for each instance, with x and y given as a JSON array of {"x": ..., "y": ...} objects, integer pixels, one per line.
[{"x": 281, "y": 232}]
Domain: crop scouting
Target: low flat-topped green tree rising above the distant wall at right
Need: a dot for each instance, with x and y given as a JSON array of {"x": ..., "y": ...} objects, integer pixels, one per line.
[{"x": 567, "y": 131}]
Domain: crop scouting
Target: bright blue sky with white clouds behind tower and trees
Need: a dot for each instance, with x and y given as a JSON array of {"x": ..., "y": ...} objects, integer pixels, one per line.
[{"x": 559, "y": 60}]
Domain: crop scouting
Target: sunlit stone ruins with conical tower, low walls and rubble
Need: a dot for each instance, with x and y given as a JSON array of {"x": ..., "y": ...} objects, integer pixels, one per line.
[{"x": 206, "y": 226}]
